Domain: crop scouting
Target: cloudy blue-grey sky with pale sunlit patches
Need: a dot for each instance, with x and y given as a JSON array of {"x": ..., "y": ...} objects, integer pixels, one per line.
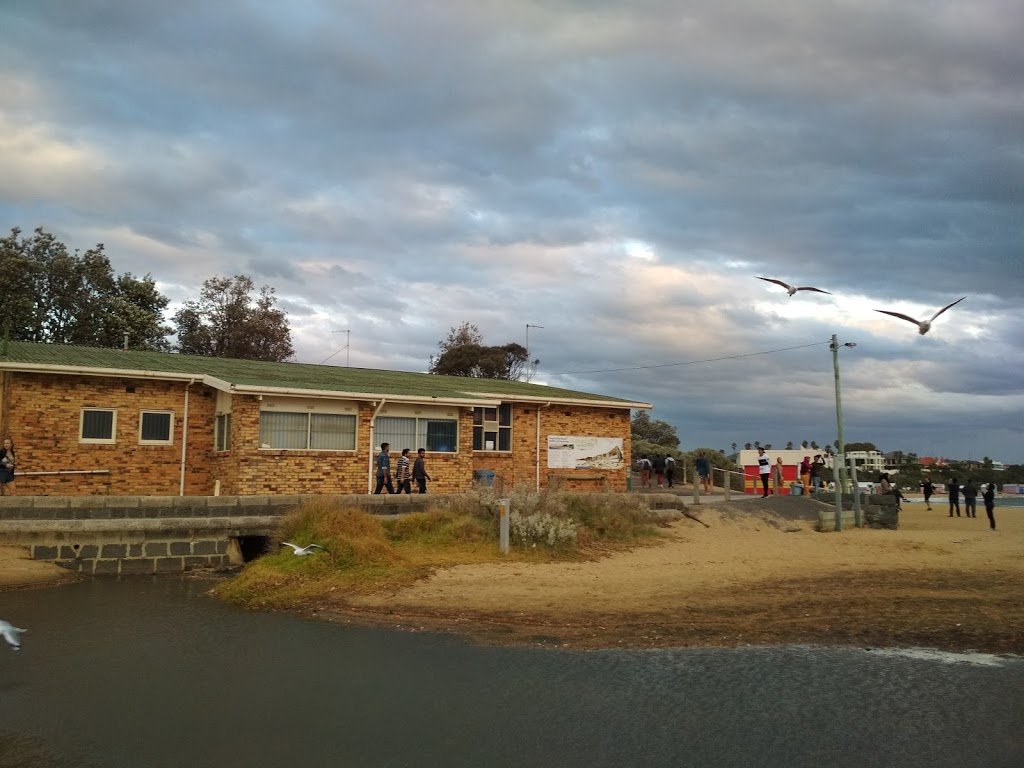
[{"x": 618, "y": 174}]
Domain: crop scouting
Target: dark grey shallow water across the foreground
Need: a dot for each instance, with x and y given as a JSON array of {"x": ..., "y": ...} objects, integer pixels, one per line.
[{"x": 151, "y": 672}]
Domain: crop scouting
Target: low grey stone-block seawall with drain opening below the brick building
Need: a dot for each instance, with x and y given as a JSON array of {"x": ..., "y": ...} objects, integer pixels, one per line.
[{"x": 157, "y": 535}]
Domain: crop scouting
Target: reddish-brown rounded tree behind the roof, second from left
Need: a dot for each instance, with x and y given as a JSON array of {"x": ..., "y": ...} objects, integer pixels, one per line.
[{"x": 229, "y": 322}]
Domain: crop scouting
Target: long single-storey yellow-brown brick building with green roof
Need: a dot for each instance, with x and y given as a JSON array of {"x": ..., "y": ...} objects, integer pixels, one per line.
[{"x": 89, "y": 421}]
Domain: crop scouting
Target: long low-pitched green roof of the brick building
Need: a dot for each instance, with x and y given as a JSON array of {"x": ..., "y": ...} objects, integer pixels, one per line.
[{"x": 28, "y": 356}]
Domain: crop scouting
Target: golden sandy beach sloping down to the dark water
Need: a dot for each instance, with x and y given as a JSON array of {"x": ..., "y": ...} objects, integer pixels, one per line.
[{"x": 756, "y": 575}]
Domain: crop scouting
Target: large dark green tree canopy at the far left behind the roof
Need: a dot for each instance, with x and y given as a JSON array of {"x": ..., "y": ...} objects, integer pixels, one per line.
[{"x": 51, "y": 295}]
